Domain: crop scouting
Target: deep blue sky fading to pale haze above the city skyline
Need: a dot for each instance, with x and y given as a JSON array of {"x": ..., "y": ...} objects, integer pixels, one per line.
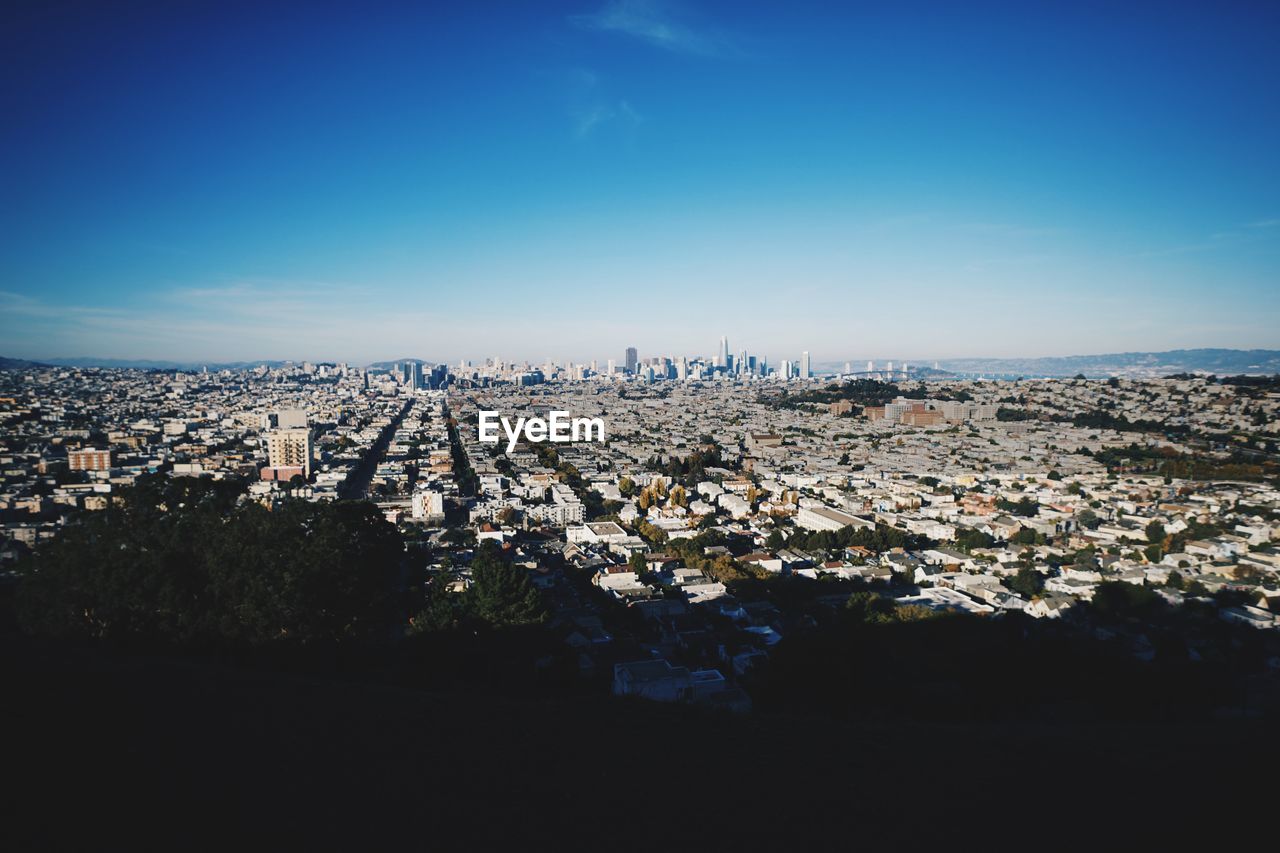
[{"x": 369, "y": 181}]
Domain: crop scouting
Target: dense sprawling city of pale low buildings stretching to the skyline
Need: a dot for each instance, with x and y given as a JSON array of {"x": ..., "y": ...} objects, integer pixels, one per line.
[{"x": 724, "y": 524}]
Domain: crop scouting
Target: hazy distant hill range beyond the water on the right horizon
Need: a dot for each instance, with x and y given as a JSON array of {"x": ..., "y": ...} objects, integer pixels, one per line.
[{"x": 1128, "y": 364}]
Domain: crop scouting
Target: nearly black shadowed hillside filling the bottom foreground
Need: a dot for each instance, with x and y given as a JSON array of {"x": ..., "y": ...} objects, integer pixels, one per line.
[{"x": 171, "y": 754}]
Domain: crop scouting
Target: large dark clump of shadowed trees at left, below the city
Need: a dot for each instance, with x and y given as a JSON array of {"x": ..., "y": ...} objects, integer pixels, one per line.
[{"x": 176, "y": 568}]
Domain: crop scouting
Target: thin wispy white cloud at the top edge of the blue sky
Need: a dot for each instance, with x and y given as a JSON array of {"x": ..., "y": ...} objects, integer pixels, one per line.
[{"x": 662, "y": 25}]
